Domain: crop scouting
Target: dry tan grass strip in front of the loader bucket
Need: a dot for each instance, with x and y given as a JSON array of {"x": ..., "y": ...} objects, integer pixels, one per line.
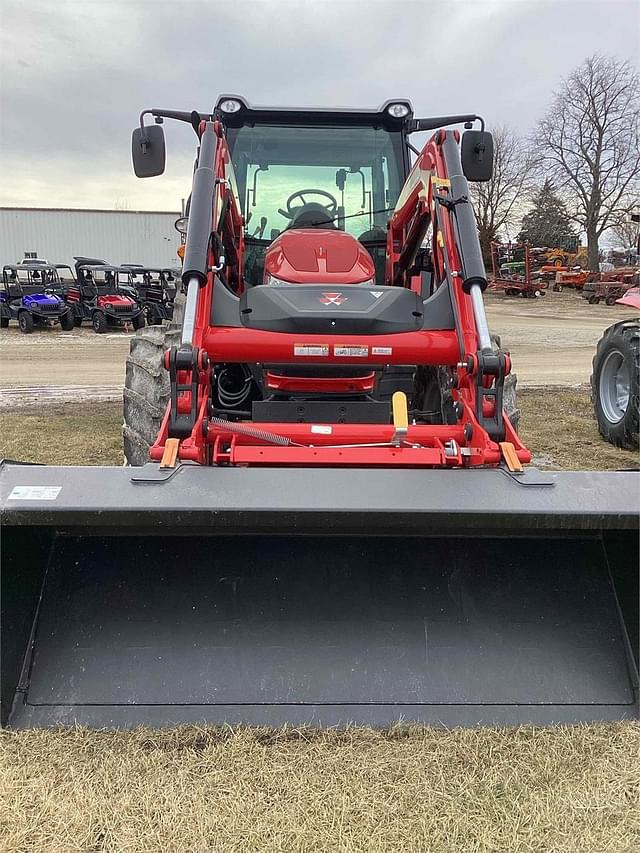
[{"x": 415, "y": 789}]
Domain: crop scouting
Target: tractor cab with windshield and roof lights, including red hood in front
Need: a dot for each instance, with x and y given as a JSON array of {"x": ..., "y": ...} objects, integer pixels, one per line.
[{"x": 316, "y": 188}]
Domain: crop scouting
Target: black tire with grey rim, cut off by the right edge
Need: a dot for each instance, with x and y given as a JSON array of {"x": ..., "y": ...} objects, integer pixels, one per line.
[{"x": 615, "y": 384}]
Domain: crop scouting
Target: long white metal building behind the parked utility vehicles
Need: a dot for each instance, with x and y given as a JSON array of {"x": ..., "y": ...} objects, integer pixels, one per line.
[{"x": 117, "y": 236}]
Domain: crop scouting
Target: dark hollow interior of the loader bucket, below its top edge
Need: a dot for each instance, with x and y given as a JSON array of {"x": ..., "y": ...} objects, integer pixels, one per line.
[{"x": 123, "y": 630}]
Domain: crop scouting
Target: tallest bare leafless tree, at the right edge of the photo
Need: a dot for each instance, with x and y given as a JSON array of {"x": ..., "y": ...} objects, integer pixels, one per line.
[{"x": 591, "y": 145}]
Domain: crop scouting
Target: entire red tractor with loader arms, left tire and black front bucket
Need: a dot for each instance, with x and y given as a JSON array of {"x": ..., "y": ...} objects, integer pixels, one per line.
[{"x": 336, "y": 525}]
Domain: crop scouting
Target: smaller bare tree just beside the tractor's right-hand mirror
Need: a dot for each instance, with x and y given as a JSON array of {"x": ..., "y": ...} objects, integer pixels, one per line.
[{"x": 498, "y": 202}]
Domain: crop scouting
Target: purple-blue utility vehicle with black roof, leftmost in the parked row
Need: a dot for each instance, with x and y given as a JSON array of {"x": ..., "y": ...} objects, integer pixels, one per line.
[{"x": 33, "y": 295}]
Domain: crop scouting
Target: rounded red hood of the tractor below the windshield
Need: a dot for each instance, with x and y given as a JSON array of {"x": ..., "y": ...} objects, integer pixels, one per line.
[{"x": 318, "y": 256}]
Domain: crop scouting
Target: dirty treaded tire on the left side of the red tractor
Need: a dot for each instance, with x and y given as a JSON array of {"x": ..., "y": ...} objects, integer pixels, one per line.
[{"x": 146, "y": 389}]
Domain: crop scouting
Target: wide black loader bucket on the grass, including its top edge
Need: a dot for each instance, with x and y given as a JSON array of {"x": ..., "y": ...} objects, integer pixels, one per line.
[{"x": 268, "y": 596}]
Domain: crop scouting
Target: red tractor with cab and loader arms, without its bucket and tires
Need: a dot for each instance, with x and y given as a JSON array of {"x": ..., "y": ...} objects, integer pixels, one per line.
[{"x": 295, "y": 344}]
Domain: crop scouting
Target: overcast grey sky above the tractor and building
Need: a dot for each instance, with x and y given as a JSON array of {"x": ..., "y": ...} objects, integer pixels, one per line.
[{"x": 75, "y": 74}]
